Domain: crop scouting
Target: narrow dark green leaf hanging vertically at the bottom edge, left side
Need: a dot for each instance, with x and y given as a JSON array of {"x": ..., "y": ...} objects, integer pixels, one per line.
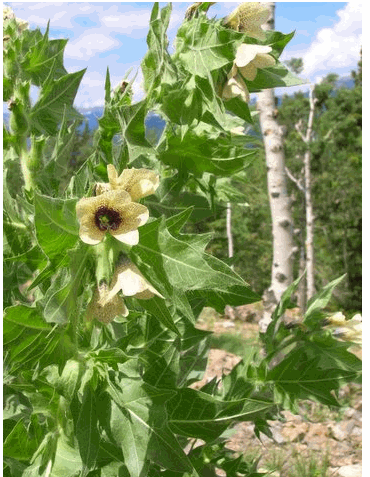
[{"x": 87, "y": 433}]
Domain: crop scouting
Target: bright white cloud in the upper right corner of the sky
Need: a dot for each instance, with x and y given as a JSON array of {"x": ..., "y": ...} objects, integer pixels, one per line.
[{"x": 336, "y": 47}]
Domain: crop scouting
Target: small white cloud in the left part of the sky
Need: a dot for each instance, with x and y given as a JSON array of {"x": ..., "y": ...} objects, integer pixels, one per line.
[{"x": 87, "y": 46}]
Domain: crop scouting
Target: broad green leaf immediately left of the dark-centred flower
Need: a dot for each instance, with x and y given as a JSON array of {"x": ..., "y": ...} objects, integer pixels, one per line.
[{"x": 56, "y": 225}]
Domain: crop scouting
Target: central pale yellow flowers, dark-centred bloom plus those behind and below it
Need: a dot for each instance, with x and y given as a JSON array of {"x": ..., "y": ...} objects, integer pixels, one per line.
[{"x": 115, "y": 210}]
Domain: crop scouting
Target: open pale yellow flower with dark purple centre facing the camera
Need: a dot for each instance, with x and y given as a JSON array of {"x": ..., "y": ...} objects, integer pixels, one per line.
[{"x": 112, "y": 212}]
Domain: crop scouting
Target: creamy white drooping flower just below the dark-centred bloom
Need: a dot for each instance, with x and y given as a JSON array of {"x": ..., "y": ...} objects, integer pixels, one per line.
[{"x": 131, "y": 282}]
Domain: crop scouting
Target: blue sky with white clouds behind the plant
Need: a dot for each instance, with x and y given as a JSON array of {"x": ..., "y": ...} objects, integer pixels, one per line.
[{"x": 113, "y": 34}]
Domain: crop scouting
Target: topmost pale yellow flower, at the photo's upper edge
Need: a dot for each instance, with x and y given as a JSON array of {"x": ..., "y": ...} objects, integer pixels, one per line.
[{"x": 248, "y": 18}]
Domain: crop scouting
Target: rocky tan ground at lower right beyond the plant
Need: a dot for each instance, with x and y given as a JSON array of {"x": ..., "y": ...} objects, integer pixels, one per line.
[{"x": 331, "y": 441}]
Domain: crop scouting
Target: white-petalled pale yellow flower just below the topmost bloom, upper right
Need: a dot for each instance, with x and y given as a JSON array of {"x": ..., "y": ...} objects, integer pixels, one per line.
[{"x": 251, "y": 57}]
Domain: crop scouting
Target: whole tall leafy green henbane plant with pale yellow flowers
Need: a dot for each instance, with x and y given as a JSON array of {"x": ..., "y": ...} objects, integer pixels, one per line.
[{"x": 101, "y": 288}]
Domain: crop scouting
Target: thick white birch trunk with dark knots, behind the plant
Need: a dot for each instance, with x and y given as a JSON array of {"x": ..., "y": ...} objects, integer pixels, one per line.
[{"x": 280, "y": 203}]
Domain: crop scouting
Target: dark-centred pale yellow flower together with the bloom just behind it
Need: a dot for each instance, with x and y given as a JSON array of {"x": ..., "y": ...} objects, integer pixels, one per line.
[{"x": 114, "y": 209}]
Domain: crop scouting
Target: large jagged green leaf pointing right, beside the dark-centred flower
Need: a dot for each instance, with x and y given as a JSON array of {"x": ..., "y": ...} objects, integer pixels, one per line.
[{"x": 181, "y": 263}]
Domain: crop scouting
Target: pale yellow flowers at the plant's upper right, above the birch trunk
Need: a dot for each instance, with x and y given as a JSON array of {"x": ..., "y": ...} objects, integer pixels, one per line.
[{"x": 248, "y": 18}]
